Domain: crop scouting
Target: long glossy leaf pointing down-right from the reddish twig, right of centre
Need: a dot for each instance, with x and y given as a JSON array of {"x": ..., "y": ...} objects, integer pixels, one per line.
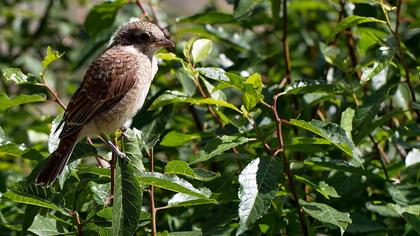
[{"x": 333, "y": 133}]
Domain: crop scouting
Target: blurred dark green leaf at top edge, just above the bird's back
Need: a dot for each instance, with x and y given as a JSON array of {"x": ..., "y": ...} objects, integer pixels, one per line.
[{"x": 102, "y": 16}]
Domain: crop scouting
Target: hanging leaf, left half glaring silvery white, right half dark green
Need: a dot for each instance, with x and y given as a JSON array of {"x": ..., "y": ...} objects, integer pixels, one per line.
[{"x": 258, "y": 187}]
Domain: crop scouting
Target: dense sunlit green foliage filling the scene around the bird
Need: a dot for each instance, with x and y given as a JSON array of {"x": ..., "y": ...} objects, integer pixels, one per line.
[{"x": 268, "y": 118}]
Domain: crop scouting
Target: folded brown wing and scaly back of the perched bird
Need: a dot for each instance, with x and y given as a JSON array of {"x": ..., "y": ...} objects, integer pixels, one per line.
[{"x": 105, "y": 83}]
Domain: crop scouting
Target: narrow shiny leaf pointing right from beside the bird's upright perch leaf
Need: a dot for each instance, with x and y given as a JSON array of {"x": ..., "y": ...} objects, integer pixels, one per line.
[{"x": 172, "y": 183}]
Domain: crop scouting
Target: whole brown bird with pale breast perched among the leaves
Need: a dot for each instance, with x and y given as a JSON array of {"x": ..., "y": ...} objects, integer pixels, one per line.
[{"x": 112, "y": 91}]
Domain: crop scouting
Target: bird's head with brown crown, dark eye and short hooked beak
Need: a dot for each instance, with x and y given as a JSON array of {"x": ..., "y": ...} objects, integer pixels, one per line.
[{"x": 146, "y": 36}]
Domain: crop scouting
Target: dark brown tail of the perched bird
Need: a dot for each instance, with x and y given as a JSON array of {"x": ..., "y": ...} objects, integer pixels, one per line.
[{"x": 57, "y": 160}]
